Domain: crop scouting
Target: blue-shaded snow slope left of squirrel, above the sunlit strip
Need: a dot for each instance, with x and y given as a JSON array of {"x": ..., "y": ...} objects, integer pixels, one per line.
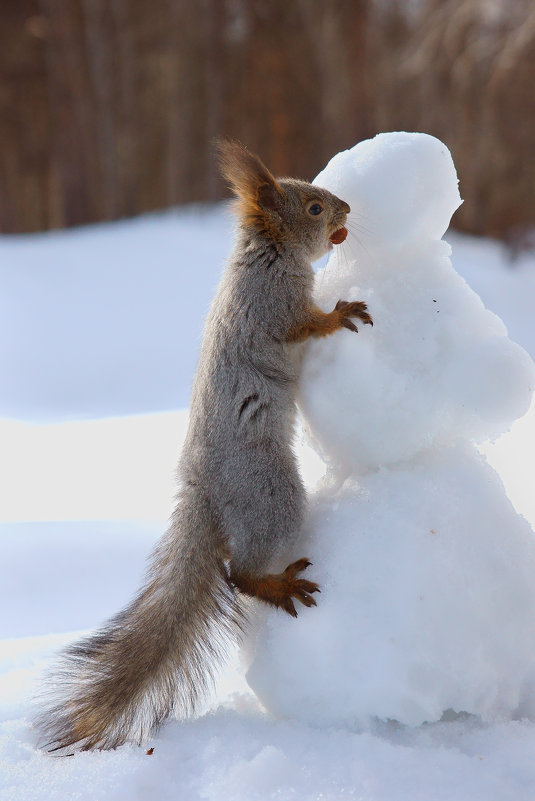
[{"x": 98, "y": 318}]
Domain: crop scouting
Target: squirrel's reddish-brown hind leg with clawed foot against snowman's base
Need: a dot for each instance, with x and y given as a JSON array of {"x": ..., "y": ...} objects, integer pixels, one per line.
[{"x": 278, "y": 589}]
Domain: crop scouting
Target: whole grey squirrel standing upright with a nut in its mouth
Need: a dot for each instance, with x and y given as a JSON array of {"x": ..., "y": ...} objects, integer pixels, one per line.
[{"x": 241, "y": 500}]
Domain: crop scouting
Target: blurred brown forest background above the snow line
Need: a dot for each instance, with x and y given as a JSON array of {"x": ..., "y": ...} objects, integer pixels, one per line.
[{"x": 109, "y": 108}]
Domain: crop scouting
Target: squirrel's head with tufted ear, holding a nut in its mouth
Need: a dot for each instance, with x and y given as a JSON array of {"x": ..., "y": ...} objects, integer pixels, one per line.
[{"x": 292, "y": 213}]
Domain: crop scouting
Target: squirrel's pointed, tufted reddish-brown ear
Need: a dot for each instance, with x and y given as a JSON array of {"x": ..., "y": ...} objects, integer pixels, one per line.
[{"x": 248, "y": 177}]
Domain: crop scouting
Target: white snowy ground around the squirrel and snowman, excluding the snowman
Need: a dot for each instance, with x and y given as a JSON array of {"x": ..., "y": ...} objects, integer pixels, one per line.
[{"x": 98, "y": 343}]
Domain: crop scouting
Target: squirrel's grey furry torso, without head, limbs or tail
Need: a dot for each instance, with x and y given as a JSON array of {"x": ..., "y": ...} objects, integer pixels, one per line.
[{"x": 243, "y": 405}]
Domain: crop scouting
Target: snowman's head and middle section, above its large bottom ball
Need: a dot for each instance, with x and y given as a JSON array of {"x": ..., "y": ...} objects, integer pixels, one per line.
[{"x": 437, "y": 366}]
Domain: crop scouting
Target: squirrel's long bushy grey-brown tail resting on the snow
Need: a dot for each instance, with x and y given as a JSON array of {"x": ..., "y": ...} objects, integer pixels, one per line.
[{"x": 157, "y": 655}]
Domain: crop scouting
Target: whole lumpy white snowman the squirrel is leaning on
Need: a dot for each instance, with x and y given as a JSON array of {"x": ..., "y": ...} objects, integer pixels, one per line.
[{"x": 427, "y": 573}]
